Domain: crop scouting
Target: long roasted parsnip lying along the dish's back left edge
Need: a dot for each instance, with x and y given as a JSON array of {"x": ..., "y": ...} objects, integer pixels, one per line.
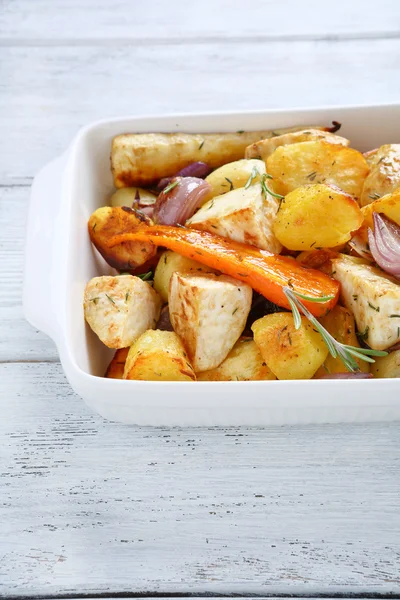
[{"x": 141, "y": 159}]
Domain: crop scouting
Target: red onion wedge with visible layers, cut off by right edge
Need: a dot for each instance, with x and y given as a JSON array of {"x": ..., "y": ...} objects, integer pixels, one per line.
[{"x": 384, "y": 243}]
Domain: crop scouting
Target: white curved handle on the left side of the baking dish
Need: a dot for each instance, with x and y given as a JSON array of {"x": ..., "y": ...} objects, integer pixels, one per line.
[{"x": 40, "y": 248}]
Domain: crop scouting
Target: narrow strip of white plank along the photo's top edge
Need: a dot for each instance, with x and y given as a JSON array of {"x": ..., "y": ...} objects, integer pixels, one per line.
[{"x": 160, "y": 20}]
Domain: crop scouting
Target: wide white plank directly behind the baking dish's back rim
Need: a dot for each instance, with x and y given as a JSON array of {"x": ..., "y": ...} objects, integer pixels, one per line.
[{"x": 46, "y": 94}]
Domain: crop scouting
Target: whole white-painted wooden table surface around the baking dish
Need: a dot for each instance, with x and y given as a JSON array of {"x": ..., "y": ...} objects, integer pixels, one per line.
[{"x": 90, "y": 507}]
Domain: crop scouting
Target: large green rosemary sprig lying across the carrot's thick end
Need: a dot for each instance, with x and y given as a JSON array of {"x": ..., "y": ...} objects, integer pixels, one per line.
[{"x": 345, "y": 353}]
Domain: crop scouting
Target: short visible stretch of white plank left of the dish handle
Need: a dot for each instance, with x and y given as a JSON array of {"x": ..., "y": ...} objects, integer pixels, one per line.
[{"x": 18, "y": 340}]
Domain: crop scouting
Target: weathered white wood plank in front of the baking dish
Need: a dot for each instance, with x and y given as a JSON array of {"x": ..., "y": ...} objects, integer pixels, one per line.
[{"x": 90, "y": 506}]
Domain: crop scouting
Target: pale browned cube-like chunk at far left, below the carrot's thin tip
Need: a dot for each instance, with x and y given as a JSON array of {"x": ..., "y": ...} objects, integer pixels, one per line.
[{"x": 119, "y": 309}]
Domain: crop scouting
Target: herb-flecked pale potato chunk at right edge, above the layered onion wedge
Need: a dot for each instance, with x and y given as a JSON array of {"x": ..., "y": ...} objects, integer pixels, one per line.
[{"x": 384, "y": 175}]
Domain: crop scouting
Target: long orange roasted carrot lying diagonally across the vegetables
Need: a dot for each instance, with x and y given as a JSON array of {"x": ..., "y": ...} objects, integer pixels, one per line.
[{"x": 266, "y": 273}]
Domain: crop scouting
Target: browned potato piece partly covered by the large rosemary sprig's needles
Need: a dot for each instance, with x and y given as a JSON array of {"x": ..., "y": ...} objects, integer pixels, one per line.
[{"x": 341, "y": 325}]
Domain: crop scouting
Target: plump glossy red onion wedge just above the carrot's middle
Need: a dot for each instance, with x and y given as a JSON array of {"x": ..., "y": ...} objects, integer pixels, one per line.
[{"x": 182, "y": 198}]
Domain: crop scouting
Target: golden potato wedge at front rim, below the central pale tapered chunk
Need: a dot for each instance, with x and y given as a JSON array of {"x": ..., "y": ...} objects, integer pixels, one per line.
[{"x": 243, "y": 363}]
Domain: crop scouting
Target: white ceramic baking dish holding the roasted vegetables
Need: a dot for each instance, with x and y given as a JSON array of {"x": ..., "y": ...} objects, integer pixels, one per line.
[{"x": 60, "y": 260}]
